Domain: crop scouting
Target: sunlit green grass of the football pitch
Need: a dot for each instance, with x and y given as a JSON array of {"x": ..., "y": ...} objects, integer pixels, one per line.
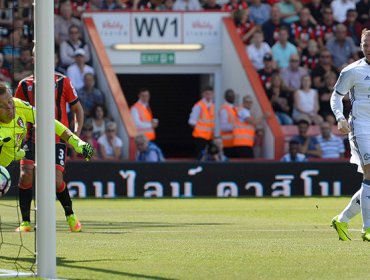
[{"x": 272, "y": 238}]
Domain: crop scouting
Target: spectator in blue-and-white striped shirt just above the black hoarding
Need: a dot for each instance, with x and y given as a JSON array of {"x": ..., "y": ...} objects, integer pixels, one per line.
[{"x": 332, "y": 146}]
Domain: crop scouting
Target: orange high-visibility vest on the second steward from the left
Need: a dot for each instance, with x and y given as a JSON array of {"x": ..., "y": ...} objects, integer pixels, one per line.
[{"x": 205, "y": 125}]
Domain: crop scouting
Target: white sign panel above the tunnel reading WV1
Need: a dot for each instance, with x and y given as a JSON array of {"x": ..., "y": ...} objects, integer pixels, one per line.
[{"x": 158, "y": 27}]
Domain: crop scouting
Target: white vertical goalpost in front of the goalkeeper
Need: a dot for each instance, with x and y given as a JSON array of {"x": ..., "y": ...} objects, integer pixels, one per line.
[{"x": 45, "y": 139}]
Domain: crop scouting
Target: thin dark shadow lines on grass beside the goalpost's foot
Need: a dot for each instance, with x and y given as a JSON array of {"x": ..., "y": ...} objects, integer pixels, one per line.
[{"x": 111, "y": 274}]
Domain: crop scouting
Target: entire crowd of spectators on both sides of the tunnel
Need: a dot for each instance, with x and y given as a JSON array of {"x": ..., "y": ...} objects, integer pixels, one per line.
[{"x": 297, "y": 47}]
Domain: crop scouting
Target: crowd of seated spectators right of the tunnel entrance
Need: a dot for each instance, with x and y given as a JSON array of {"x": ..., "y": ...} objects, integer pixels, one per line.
[{"x": 307, "y": 44}]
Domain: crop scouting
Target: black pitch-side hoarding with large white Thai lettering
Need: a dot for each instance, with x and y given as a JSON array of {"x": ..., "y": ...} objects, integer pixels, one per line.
[{"x": 194, "y": 179}]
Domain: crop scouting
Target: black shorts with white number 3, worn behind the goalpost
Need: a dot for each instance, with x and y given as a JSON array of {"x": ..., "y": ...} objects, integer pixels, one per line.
[{"x": 60, "y": 154}]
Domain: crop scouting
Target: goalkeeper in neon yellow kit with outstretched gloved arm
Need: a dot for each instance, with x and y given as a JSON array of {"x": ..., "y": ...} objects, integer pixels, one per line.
[{"x": 15, "y": 114}]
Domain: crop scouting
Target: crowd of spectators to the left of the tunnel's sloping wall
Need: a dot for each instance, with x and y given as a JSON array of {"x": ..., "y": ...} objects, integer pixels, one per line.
[{"x": 72, "y": 58}]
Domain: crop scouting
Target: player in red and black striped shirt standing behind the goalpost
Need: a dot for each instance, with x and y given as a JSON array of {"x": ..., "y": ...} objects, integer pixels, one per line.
[{"x": 64, "y": 94}]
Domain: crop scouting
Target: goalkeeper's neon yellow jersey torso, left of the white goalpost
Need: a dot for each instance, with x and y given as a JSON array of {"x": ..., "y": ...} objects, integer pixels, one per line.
[{"x": 16, "y": 130}]
